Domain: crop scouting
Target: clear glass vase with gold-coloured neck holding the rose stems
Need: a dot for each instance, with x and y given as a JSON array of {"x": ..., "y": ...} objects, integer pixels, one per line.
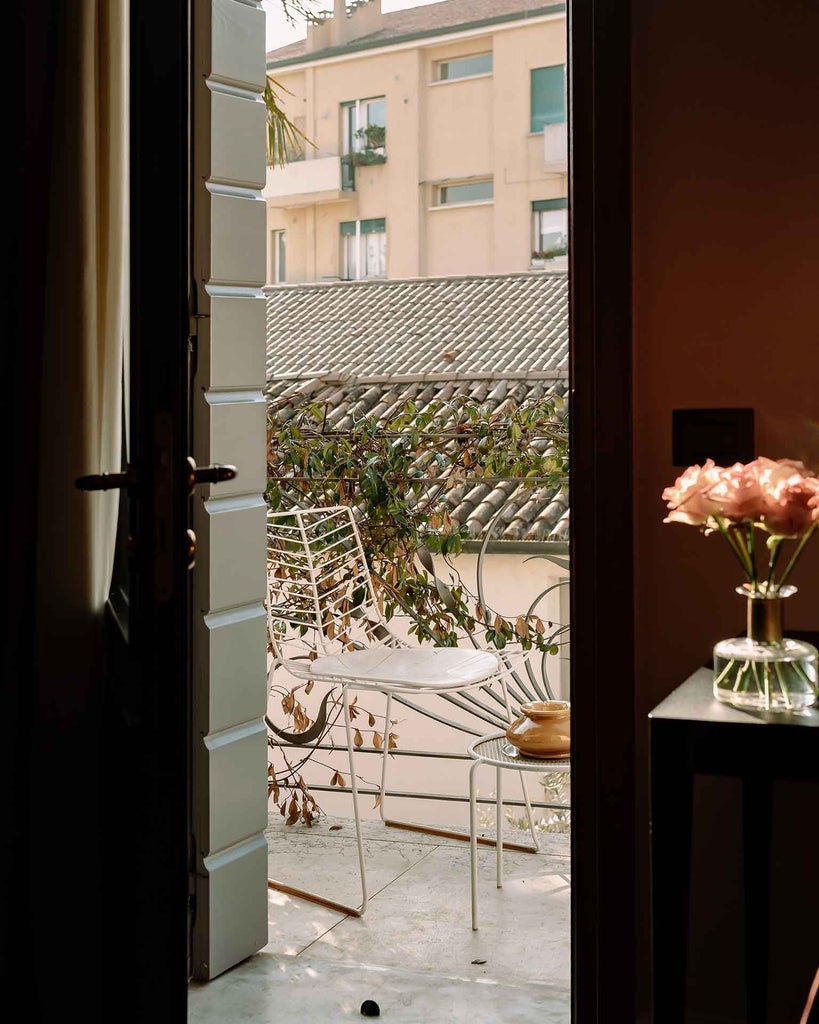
[{"x": 765, "y": 670}]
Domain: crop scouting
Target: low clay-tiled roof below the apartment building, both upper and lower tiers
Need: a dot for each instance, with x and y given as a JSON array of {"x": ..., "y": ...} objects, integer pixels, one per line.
[{"x": 368, "y": 348}]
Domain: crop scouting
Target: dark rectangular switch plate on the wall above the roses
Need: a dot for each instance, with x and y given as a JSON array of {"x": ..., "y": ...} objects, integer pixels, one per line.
[{"x": 726, "y": 436}]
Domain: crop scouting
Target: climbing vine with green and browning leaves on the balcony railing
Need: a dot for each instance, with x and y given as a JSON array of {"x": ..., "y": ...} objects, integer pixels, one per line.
[{"x": 399, "y": 474}]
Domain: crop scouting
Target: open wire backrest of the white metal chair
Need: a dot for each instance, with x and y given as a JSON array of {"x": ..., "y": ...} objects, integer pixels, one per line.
[{"x": 320, "y": 586}]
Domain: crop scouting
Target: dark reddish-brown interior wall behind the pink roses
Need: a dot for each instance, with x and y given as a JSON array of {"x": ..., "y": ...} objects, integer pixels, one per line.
[{"x": 726, "y": 305}]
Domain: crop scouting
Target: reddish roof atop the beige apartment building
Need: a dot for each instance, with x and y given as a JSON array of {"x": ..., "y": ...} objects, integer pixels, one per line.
[{"x": 450, "y": 16}]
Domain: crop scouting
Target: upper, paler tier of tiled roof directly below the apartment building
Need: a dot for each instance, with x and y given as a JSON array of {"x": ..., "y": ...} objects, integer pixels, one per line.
[{"x": 502, "y": 325}]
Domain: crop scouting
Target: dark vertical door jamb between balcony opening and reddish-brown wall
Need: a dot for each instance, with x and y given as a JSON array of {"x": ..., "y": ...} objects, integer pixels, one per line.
[{"x": 604, "y": 845}]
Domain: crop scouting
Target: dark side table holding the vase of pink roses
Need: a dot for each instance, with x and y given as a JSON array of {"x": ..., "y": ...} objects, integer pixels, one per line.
[{"x": 692, "y": 734}]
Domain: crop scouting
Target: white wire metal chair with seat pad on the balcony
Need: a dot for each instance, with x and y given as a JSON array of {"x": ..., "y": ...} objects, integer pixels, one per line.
[{"x": 321, "y": 590}]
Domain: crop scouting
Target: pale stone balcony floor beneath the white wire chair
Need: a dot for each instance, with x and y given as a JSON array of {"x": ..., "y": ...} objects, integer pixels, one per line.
[{"x": 414, "y": 952}]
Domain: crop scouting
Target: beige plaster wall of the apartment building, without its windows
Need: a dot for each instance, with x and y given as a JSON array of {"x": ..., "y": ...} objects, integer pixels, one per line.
[{"x": 436, "y": 132}]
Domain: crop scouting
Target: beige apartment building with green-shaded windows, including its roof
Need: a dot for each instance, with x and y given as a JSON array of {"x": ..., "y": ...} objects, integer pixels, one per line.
[{"x": 438, "y": 144}]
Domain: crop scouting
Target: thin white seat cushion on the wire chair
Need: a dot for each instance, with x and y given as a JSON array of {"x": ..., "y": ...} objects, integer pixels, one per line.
[{"x": 407, "y": 668}]
